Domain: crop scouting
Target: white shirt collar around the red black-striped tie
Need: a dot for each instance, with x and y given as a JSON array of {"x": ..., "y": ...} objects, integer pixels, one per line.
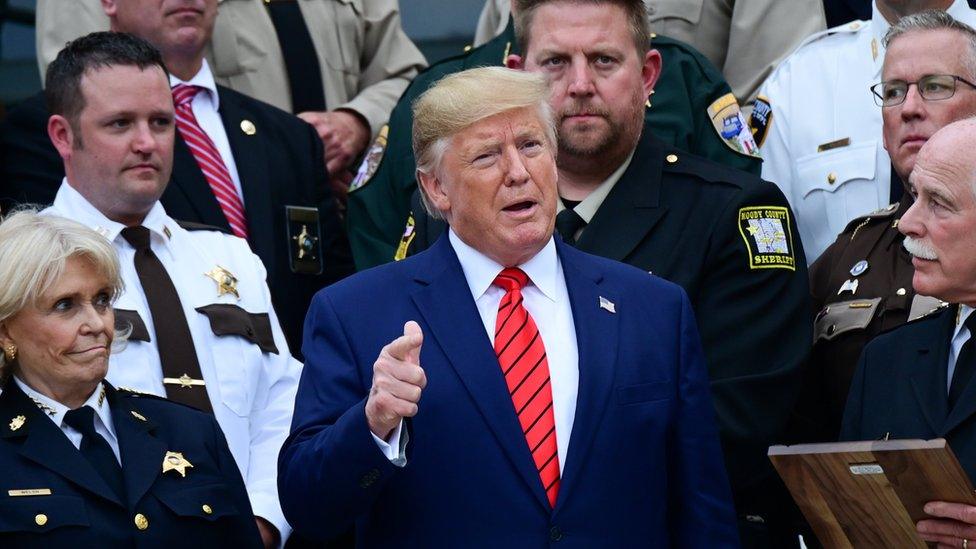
[{"x": 480, "y": 270}]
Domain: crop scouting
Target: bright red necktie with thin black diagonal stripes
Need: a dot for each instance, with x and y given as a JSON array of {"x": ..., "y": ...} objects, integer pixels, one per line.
[{"x": 522, "y": 357}]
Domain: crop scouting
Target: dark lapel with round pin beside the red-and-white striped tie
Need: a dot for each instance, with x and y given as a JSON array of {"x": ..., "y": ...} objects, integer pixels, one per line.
[{"x": 251, "y": 158}]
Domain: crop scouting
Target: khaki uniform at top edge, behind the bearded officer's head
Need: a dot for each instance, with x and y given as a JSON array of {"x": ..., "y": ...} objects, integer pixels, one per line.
[{"x": 745, "y": 40}]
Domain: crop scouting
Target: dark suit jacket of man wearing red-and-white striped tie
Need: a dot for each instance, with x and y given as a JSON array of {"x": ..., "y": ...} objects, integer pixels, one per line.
[{"x": 280, "y": 165}]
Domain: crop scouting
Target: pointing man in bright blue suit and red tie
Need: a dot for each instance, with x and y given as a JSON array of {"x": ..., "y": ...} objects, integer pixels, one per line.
[{"x": 503, "y": 388}]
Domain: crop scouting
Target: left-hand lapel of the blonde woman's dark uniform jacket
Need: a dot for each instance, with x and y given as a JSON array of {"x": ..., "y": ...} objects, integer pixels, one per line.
[{"x": 45, "y": 444}]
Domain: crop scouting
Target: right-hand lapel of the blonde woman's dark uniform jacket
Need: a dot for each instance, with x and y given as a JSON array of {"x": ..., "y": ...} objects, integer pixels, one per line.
[{"x": 142, "y": 454}]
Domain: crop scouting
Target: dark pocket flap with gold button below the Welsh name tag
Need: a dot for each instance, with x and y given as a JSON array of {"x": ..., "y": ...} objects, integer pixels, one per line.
[{"x": 42, "y": 513}]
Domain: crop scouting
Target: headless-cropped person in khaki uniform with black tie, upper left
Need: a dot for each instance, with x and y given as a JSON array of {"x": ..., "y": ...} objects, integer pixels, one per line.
[{"x": 341, "y": 64}]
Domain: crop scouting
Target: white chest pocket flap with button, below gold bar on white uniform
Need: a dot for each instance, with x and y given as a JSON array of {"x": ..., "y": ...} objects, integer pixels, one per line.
[{"x": 830, "y": 170}]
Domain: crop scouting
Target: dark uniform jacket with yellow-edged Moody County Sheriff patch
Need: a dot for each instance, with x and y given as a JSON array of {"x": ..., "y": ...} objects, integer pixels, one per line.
[{"x": 681, "y": 221}]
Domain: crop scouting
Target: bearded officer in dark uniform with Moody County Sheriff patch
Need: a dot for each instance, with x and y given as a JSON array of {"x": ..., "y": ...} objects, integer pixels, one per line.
[{"x": 725, "y": 236}]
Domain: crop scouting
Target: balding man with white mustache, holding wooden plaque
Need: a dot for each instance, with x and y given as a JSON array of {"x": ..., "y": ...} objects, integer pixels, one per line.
[{"x": 916, "y": 382}]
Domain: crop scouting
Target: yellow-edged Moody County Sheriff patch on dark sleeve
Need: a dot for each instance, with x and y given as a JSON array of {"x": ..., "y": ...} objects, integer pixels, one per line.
[{"x": 769, "y": 241}]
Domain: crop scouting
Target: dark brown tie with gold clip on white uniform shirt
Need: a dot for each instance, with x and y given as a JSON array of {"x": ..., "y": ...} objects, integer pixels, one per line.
[{"x": 177, "y": 354}]
